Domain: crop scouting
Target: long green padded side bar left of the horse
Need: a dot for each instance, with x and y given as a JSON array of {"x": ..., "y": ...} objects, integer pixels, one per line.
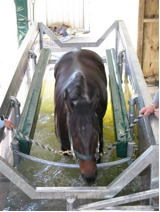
[{"x": 29, "y": 110}]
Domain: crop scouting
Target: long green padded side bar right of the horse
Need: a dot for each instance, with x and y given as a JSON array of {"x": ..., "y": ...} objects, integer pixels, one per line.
[{"x": 118, "y": 103}]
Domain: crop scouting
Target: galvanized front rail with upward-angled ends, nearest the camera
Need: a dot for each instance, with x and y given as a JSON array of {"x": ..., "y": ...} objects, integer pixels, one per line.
[{"x": 149, "y": 157}]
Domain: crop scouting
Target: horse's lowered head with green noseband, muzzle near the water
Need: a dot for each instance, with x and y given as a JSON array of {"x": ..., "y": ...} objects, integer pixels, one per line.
[{"x": 84, "y": 128}]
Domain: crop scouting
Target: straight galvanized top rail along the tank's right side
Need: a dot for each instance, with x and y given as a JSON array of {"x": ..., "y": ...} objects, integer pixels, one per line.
[{"x": 144, "y": 97}]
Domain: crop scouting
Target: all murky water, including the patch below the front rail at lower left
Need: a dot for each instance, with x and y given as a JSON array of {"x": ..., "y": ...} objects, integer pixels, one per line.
[{"x": 44, "y": 175}]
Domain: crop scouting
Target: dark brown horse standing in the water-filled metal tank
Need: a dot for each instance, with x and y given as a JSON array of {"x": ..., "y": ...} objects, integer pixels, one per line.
[{"x": 80, "y": 99}]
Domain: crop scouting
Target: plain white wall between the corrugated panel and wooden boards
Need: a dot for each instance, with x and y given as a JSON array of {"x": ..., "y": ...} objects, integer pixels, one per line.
[{"x": 104, "y": 12}]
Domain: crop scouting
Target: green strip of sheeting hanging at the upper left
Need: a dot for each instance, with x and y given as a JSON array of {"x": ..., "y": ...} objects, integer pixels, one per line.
[{"x": 22, "y": 19}]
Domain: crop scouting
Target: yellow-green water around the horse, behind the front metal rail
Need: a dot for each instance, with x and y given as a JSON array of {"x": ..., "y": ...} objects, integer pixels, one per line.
[{"x": 44, "y": 133}]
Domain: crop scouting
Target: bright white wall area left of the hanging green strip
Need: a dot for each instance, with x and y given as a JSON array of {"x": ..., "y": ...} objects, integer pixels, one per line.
[{"x": 8, "y": 44}]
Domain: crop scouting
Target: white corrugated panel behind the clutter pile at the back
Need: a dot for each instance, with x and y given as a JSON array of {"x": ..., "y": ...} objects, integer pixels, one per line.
[{"x": 70, "y": 12}]
